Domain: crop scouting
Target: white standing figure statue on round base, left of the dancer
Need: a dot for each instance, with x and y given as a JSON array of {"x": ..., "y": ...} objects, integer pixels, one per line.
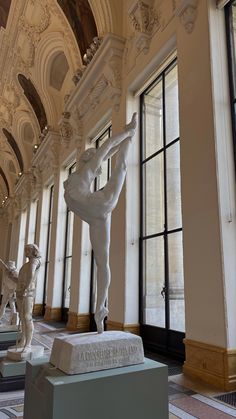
[{"x": 25, "y": 294}]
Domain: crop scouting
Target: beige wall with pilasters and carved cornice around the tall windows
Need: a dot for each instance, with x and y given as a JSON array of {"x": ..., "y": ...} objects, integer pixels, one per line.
[{"x": 109, "y": 93}]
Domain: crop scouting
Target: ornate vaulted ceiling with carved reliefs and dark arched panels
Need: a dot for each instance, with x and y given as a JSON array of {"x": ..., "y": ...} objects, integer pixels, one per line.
[{"x": 42, "y": 43}]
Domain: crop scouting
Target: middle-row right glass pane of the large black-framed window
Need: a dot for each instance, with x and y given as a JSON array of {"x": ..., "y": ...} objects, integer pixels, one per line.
[{"x": 173, "y": 187}]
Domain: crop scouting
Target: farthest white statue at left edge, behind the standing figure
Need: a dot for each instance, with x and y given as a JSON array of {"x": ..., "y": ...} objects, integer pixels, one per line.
[{"x": 8, "y": 290}]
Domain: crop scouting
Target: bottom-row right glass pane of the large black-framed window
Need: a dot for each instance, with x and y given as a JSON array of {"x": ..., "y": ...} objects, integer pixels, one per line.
[{"x": 176, "y": 282}]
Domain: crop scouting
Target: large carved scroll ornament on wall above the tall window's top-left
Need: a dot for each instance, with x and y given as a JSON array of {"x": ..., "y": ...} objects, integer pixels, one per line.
[{"x": 146, "y": 21}]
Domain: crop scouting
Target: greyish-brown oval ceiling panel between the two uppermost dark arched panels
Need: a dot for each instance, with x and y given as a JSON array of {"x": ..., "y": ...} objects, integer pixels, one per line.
[{"x": 59, "y": 69}]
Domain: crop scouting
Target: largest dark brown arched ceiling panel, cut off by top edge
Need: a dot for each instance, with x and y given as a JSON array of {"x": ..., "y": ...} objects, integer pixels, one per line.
[{"x": 80, "y": 17}]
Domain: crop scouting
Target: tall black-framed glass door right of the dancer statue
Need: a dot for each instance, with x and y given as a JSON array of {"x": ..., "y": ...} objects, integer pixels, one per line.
[{"x": 162, "y": 281}]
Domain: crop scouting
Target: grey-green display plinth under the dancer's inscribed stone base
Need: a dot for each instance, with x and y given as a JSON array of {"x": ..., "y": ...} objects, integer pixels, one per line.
[{"x": 134, "y": 392}]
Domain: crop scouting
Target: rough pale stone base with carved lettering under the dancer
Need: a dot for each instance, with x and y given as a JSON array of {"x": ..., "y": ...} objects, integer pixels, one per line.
[{"x": 88, "y": 352}]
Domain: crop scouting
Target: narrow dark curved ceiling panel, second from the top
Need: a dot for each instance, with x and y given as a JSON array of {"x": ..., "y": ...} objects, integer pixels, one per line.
[{"x": 34, "y": 99}]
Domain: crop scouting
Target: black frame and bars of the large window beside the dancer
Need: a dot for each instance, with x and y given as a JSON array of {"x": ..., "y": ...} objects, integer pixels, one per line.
[{"x": 164, "y": 340}]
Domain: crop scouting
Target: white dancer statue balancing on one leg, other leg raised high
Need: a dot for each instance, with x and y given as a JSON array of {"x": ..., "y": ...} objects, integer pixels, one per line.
[{"x": 95, "y": 208}]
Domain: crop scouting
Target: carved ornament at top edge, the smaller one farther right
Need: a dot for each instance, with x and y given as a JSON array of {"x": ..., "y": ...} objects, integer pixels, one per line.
[{"x": 187, "y": 12}]
